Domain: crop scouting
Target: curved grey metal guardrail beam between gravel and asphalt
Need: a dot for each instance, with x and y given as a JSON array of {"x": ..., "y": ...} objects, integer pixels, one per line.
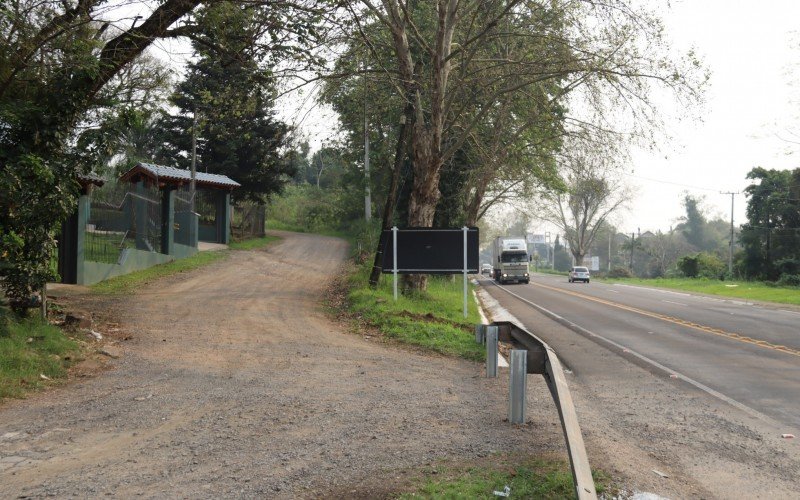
[{"x": 542, "y": 360}]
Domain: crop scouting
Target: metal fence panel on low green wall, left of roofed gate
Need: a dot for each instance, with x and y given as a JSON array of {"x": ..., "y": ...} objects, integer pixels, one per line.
[{"x": 122, "y": 216}]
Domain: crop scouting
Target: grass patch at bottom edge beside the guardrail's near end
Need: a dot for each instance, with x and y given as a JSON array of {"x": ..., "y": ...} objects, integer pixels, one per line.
[{"x": 531, "y": 478}]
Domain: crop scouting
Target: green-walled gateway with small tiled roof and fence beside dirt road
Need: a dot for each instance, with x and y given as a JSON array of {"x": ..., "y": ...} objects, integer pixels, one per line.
[{"x": 149, "y": 217}]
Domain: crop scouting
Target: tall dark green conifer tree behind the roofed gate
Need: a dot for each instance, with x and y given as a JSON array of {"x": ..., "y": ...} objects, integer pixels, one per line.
[{"x": 231, "y": 97}]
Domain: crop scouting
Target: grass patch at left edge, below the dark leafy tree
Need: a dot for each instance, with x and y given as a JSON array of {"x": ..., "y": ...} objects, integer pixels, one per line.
[{"x": 30, "y": 349}]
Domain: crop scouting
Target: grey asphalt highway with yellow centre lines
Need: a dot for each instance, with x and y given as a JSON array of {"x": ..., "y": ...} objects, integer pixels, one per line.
[{"x": 745, "y": 354}]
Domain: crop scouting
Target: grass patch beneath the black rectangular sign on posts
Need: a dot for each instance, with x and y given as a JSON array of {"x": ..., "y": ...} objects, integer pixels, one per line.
[{"x": 433, "y": 320}]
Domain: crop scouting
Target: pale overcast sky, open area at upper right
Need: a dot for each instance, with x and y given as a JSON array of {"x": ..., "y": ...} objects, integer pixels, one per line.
[{"x": 753, "y": 52}]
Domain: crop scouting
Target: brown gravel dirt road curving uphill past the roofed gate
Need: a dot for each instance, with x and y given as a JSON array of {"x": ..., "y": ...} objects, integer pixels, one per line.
[{"x": 234, "y": 383}]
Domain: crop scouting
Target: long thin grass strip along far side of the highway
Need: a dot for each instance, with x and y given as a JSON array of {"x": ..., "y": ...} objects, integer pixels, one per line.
[{"x": 746, "y": 290}]
